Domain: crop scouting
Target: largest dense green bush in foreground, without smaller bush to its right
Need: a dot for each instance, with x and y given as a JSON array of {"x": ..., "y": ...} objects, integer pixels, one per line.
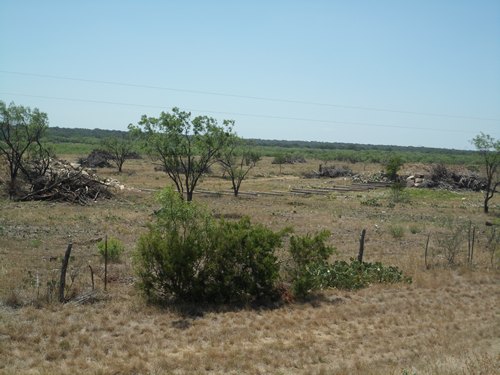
[{"x": 190, "y": 256}]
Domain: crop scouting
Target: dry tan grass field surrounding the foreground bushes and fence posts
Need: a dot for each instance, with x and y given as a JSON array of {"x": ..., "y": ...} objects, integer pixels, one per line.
[{"x": 446, "y": 322}]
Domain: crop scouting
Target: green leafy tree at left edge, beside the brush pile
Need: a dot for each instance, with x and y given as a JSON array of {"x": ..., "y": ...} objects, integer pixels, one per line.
[{"x": 21, "y": 130}]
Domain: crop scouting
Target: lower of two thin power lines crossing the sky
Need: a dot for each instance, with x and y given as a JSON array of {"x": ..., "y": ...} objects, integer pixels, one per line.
[{"x": 239, "y": 113}]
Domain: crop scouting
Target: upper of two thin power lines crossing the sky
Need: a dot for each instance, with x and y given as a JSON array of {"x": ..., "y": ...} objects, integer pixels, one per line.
[{"x": 261, "y": 98}]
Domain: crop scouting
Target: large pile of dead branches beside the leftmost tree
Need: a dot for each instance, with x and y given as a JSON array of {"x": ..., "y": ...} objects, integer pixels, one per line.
[{"x": 62, "y": 182}]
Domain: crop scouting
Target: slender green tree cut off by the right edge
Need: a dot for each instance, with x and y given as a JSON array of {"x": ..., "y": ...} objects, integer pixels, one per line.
[{"x": 489, "y": 148}]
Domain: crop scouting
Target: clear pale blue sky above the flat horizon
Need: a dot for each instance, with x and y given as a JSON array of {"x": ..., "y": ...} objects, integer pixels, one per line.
[{"x": 418, "y": 73}]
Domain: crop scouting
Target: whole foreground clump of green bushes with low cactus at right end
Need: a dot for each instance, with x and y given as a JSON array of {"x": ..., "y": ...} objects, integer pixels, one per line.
[{"x": 188, "y": 255}]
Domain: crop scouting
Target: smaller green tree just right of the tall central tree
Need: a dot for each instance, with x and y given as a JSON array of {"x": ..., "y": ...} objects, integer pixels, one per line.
[{"x": 237, "y": 161}]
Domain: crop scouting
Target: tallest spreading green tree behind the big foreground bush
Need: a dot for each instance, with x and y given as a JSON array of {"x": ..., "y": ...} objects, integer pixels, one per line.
[{"x": 186, "y": 147}]
